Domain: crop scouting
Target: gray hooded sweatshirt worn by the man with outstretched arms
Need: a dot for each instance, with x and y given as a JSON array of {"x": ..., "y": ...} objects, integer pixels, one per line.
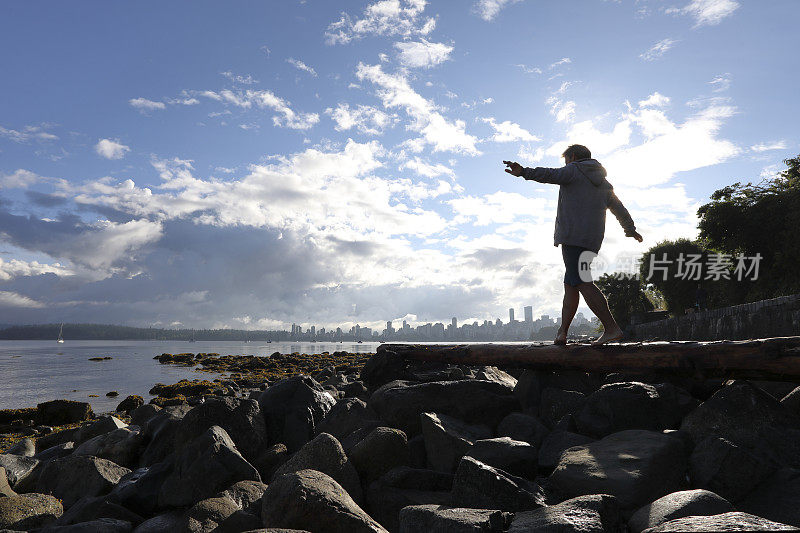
[{"x": 583, "y": 197}]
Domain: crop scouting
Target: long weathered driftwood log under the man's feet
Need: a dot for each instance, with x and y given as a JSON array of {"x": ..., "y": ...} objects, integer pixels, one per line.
[{"x": 776, "y": 358}]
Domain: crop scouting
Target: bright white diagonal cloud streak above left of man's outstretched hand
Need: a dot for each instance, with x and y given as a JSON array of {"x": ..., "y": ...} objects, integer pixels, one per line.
[{"x": 395, "y": 91}]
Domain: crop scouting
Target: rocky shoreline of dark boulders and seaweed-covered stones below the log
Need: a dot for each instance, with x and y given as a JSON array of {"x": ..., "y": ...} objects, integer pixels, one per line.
[{"x": 355, "y": 442}]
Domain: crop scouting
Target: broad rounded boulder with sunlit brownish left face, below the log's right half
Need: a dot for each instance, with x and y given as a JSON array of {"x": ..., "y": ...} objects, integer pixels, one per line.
[{"x": 636, "y": 466}]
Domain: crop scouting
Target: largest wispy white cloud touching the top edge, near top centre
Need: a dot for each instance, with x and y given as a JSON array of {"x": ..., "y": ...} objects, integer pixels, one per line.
[{"x": 384, "y": 17}]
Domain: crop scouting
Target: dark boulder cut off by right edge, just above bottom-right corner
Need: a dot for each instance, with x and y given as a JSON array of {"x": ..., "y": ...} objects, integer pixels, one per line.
[{"x": 777, "y": 498}]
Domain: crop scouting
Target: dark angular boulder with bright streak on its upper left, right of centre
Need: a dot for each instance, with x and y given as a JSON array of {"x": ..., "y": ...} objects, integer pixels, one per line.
[{"x": 447, "y": 439}]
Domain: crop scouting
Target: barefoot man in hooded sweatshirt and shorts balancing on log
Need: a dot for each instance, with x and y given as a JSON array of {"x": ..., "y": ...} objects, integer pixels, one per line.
[{"x": 583, "y": 197}]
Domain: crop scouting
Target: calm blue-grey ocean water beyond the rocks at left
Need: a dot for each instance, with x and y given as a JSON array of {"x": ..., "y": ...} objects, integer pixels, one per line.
[{"x": 32, "y": 372}]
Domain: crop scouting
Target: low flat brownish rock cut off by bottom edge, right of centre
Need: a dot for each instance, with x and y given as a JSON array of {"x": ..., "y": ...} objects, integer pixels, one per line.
[{"x": 415, "y": 518}]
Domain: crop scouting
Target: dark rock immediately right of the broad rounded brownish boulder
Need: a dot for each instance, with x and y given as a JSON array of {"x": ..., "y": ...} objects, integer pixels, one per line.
[{"x": 726, "y": 469}]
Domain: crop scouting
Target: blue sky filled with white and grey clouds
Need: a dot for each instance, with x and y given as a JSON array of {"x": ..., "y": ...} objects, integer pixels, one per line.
[{"x": 253, "y": 164}]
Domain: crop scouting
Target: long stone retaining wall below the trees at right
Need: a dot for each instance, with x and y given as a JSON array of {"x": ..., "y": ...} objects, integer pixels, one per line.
[{"x": 778, "y": 317}]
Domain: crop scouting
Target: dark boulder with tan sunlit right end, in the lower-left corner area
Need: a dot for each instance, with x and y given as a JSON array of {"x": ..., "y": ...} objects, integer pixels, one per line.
[{"x": 76, "y": 476}]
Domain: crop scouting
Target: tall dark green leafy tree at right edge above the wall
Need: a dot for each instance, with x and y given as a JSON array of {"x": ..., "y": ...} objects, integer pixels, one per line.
[{"x": 761, "y": 219}]
